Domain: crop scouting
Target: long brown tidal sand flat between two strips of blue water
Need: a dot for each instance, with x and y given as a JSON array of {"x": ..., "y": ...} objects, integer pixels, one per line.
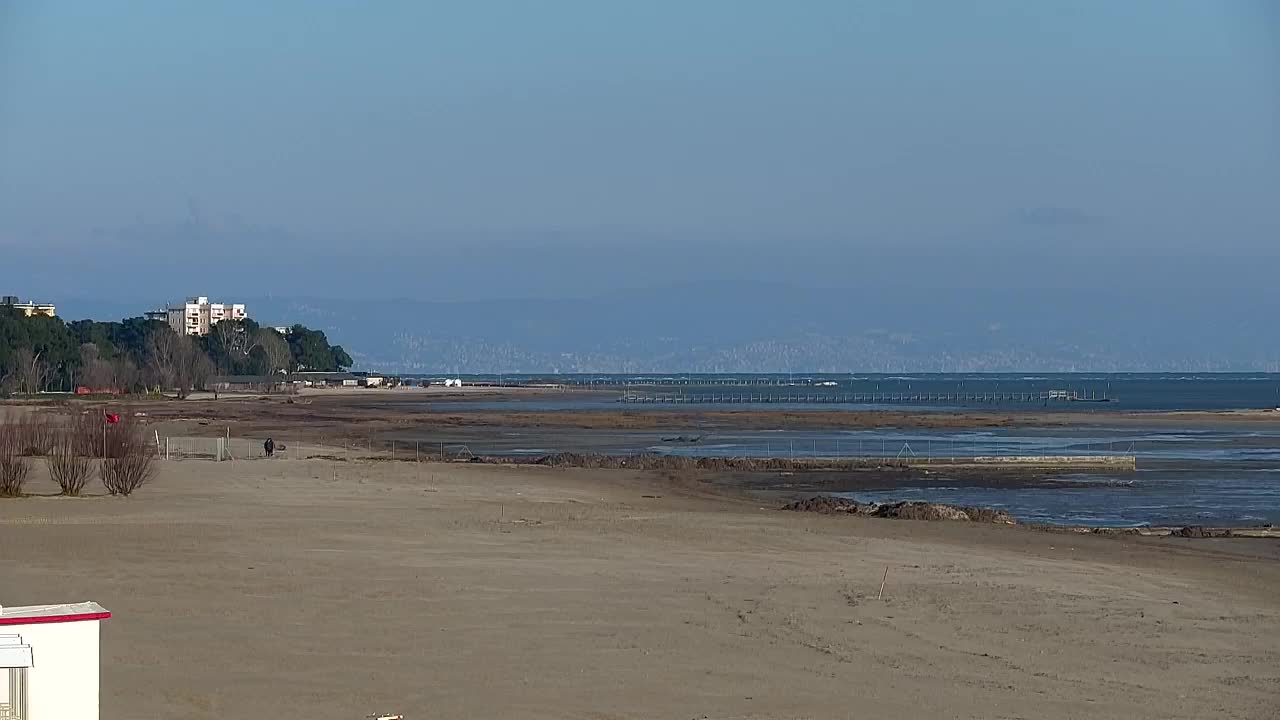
[{"x": 365, "y": 413}]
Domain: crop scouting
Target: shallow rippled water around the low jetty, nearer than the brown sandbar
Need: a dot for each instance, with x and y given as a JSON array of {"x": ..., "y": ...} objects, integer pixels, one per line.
[{"x": 1214, "y": 476}]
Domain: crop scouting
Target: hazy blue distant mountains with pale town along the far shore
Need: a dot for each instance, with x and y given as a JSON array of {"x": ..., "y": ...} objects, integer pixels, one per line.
[{"x": 762, "y": 327}]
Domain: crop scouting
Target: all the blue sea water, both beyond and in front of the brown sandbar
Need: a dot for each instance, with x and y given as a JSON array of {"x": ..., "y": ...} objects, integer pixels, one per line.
[{"x": 1190, "y": 473}]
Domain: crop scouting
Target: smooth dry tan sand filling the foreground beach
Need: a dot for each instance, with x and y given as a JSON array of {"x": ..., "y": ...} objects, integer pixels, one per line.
[{"x": 313, "y": 589}]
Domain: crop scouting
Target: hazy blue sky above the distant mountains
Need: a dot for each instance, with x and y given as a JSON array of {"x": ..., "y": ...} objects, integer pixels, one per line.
[{"x": 500, "y": 149}]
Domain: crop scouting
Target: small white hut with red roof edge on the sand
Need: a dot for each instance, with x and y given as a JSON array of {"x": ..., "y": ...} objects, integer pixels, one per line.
[{"x": 49, "y": 662}]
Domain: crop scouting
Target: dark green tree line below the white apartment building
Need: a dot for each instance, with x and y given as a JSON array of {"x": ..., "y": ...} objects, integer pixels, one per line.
[{"x": 138, "y": 354}]
